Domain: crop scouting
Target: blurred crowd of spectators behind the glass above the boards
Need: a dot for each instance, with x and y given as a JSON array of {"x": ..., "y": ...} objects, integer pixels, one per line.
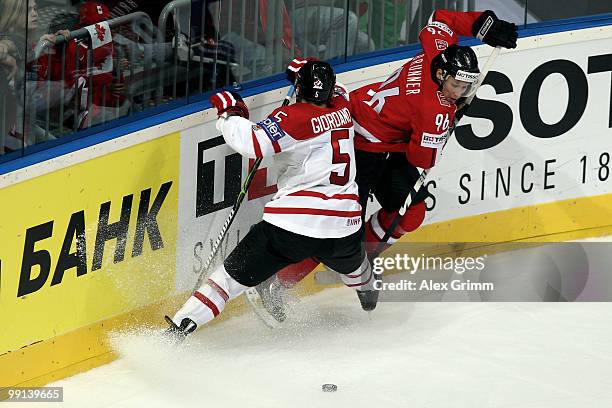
[{"x": 70, "y": 68}]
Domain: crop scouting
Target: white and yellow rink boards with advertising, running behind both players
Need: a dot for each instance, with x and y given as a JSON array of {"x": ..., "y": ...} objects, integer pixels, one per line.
[{"x": 510, "y": 178}]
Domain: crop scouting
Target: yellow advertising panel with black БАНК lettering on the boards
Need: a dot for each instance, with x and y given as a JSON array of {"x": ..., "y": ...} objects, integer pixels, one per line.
[{"x": 56, "y": 275}]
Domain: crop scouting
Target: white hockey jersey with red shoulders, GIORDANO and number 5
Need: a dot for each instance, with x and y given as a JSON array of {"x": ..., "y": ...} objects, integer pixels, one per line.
[{"x": 317, "y": 194}]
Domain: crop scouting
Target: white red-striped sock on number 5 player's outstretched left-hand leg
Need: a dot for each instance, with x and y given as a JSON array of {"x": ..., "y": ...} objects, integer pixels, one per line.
[{"x": 209, "y": 301}]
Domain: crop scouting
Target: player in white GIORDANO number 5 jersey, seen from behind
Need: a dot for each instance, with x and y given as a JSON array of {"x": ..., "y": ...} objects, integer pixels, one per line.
[{"x": 316, "y": 211}]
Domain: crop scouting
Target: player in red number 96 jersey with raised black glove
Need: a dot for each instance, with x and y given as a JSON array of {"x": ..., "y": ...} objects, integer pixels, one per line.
[{"x": 402, "y": 124}]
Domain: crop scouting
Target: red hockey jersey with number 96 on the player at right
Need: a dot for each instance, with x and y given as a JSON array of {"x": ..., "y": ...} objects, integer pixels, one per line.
[{"x": 407, "y": 113}]
